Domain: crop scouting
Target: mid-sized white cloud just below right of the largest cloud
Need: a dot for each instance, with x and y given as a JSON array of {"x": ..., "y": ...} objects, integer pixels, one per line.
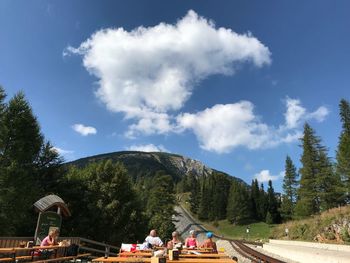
[{"x": 224, "y": 127}]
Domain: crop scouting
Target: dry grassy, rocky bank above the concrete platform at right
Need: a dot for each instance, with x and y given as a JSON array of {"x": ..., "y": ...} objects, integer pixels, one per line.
[{"x": 332, "y": 226}]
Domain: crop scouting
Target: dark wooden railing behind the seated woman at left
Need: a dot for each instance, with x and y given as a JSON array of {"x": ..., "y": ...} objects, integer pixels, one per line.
[{"x": 94, "y": 247}]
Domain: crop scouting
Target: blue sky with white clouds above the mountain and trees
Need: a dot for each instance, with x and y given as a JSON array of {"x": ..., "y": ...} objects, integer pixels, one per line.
[{"x": 228, "y": 83}]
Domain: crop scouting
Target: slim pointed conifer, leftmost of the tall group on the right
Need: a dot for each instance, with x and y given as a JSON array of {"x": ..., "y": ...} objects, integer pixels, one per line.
[{"x": 290, "y": 190}]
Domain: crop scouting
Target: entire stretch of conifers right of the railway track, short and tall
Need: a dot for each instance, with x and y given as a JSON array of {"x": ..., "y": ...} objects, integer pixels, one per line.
[{"x": 323, "y": 184}]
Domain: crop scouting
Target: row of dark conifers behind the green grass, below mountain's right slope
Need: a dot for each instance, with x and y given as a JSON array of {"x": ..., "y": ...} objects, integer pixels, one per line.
[{"x": 218, "y": 196}]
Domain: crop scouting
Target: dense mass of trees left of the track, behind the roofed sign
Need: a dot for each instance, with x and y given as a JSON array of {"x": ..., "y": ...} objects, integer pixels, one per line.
[{"x": 107, "y": 204}]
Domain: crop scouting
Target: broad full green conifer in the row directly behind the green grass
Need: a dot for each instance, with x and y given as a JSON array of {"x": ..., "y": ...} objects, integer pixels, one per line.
[{"x": 238, "y": 207}]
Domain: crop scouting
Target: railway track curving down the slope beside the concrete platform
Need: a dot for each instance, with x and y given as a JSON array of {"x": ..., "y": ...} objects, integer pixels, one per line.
[{"x": 239, "y": 245}]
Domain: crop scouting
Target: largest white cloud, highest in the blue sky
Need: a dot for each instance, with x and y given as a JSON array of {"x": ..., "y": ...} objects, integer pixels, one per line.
[{"x": 152, "y": 71}]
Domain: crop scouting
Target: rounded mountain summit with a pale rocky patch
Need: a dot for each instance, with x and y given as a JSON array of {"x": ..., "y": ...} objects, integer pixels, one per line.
[{"x": 147, "y": 163}]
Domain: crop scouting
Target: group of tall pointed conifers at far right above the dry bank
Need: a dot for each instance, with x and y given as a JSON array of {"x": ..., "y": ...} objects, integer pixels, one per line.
[{"x": 323, "y": 184}]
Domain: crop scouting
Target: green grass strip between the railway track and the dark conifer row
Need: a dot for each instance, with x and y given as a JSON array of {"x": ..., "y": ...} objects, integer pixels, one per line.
[{"x": 257, "y": 231}]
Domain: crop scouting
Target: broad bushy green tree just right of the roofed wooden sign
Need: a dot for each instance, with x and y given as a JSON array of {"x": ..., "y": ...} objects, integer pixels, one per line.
[{"x": 101, "y": 195}]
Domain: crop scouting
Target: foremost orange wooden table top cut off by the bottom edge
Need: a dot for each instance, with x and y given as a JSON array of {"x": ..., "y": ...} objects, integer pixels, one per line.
[{"x": 147, "y": 260}]
